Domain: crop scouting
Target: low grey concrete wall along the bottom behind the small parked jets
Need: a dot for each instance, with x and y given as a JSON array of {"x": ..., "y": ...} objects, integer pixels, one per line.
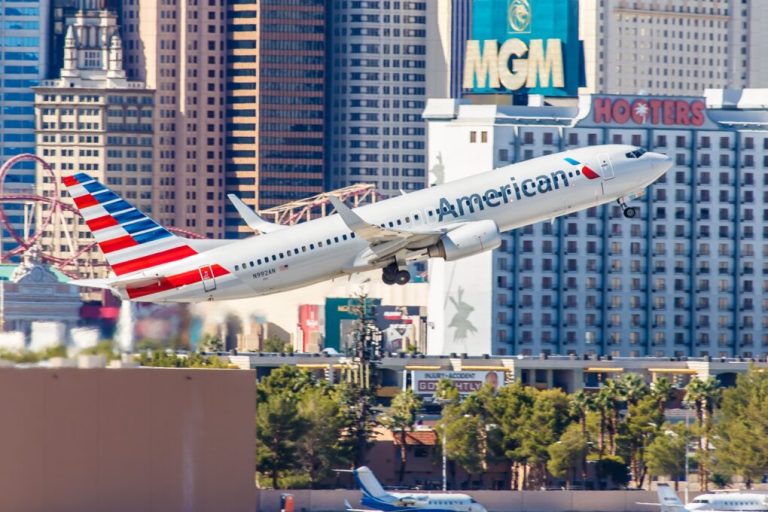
[{"x": 494, "y": 501}]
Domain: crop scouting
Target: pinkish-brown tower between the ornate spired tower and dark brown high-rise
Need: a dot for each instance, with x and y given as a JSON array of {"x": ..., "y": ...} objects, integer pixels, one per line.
[{"x": 178, "y": 49}]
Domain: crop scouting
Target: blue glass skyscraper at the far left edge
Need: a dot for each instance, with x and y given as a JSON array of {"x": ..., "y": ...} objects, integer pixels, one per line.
[{"x": 23, "y": 63}]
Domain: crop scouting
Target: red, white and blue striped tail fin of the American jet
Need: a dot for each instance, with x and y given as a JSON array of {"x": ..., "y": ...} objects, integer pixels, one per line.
[{"x": 130, "y": 240}]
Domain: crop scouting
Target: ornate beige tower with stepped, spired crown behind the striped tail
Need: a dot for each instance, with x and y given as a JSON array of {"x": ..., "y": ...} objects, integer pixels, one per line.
[{"x": 93, "y": 120}]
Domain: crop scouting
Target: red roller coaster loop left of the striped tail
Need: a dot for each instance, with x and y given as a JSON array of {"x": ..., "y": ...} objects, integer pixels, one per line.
[{"x": 57, "y": 207}]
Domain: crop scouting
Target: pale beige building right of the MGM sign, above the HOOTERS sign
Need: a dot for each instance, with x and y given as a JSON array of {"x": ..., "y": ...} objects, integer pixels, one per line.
[{"x": 676, "y": 47}]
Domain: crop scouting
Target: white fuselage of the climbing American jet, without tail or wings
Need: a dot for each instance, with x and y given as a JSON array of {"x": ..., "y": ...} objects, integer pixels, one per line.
[{"x": 511, "y": 196}]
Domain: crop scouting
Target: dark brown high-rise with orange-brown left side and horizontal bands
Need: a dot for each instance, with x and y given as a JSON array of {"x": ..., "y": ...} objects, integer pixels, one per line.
[{"x": 275, "y": 102}]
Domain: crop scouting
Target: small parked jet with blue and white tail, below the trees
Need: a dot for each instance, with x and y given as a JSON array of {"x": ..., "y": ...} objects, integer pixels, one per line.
[{"x": 375, "y": 496}]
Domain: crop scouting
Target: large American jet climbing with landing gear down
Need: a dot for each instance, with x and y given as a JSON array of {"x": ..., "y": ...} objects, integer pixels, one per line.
[{"x": 450, "y": 221}]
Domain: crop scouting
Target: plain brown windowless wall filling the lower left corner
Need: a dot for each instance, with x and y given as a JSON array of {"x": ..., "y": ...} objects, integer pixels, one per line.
[{"x": 126, "y": 439}]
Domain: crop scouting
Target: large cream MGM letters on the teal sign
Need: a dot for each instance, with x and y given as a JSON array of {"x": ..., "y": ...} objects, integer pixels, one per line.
[{"x": 514, "y": 65}]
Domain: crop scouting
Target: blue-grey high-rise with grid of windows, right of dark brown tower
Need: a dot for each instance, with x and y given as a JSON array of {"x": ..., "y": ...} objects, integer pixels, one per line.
[{"x": 378, "y": 62}]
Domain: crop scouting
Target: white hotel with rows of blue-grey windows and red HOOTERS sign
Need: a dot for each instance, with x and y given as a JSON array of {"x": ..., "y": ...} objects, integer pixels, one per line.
[{"x": 686, "y": 277}]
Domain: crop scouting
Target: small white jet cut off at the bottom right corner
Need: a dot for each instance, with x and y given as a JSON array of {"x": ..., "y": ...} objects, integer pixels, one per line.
[{"x": 731, "y": 501}]
